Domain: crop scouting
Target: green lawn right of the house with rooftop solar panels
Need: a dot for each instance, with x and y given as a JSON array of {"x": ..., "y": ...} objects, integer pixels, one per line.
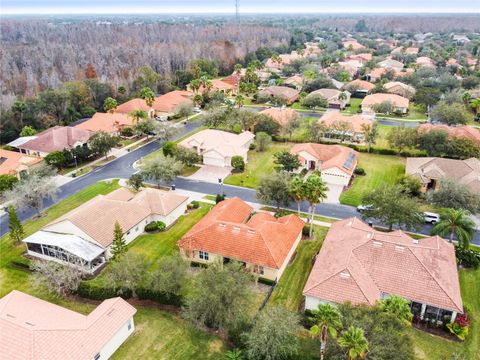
[{"x": 380, "y": 169}]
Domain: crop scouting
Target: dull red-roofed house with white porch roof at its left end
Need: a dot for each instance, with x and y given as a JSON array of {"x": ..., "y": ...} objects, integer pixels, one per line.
[{"x": 57, "y": 138}]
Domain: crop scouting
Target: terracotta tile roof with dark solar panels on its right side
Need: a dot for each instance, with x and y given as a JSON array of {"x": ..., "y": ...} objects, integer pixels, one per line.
[{"x": 329, "y": 155}]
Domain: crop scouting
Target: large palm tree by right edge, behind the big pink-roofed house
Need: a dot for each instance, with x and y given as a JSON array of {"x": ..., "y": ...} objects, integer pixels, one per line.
[{"x": 455, "y": 222}]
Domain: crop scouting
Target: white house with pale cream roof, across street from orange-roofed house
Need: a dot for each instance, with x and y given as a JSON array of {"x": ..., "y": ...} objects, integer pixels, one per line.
[{"x": 218, "y": 147}]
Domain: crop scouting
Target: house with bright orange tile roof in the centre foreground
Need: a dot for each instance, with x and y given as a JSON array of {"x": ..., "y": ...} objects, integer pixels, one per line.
[{"x": 231, "y": 231}]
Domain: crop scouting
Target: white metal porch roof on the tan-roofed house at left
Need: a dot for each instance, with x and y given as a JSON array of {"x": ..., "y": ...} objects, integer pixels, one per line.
[{"x": 72, "y": 243}]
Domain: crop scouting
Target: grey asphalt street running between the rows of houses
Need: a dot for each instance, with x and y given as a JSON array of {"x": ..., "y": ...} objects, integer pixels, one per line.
[{"x": 123, "y": 168}]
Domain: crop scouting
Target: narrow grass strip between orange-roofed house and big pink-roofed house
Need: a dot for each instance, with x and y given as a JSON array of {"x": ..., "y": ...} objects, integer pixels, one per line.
[{"x": 288, "y": 292}]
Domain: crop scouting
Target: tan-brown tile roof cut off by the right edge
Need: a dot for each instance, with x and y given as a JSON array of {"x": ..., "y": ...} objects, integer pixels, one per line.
[{"x": 466, "y": 172}]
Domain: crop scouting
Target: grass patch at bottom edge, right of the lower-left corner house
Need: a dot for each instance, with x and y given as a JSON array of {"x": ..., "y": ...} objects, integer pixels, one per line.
[{"x": 161, "y": 335}]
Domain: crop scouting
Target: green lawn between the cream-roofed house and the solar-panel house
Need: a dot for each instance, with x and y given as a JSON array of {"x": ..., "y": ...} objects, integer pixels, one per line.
[{"x": 259, "y": 164}]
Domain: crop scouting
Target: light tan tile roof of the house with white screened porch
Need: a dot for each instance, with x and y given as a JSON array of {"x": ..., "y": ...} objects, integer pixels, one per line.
[{"x": 97, "y": 217}]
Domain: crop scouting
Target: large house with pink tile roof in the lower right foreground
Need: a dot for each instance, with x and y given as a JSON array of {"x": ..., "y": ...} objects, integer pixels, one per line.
[{"x": 361, "y": 265}]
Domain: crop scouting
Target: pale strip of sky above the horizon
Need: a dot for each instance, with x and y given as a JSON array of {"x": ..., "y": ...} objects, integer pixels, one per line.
[{"x": 228, "y": 6}]
